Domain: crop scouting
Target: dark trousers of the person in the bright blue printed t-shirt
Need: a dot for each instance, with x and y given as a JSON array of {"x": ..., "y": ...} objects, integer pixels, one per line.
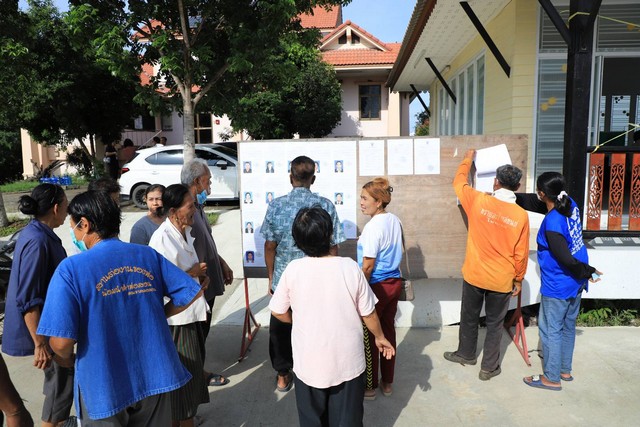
[{"x": 152, "y": 411}]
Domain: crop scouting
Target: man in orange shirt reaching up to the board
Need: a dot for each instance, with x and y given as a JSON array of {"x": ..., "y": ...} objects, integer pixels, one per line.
[{"x": 494, "y": 265}]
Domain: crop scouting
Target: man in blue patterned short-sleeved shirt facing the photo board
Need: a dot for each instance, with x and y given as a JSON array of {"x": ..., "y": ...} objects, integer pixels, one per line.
[{"x": 280, "y": 249}]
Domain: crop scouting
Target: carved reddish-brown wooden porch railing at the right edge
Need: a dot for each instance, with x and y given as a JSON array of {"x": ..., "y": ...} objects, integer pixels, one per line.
[{"x": 613, "y": 192}]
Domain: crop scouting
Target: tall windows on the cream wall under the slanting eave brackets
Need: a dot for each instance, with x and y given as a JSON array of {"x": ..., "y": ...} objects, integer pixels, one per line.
[{"x": 466, "y": 115}]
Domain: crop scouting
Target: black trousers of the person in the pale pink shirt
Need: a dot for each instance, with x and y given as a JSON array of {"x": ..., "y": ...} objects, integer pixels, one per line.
[{"x": 340, "y": 405}]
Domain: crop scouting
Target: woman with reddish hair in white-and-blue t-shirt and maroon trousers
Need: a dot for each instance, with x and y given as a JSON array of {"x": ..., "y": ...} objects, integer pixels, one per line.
[{"x": 379, "y": 256}]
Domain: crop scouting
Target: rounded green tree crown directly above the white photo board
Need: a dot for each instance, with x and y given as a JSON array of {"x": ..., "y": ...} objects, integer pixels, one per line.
[{"x": 297, "y": 94}]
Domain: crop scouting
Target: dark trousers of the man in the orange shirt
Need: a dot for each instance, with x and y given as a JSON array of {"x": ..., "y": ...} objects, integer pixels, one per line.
[{"x": 496, "y": 306}]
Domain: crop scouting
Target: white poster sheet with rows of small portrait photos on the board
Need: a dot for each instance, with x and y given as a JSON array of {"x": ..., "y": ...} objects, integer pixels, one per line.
[{"x": 265, "y": 177}]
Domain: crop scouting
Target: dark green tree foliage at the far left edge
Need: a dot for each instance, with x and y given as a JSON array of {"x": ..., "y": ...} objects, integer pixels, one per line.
[{"x": 60, "y": 91}]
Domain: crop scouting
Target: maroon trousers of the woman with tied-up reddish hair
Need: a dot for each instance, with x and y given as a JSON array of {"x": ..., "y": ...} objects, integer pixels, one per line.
[{"x": 387, "y": 292}]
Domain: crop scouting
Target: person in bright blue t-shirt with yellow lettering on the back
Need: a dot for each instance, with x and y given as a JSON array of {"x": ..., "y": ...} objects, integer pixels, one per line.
[{"x": 109, "y": 301}]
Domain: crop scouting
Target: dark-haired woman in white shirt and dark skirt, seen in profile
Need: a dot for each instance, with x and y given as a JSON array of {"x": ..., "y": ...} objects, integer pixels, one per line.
[{"x": 173, "y": 240}]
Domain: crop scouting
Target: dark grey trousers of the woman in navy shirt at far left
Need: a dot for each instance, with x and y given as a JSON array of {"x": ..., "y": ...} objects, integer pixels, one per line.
[{"x": 58, "y": 393}]
